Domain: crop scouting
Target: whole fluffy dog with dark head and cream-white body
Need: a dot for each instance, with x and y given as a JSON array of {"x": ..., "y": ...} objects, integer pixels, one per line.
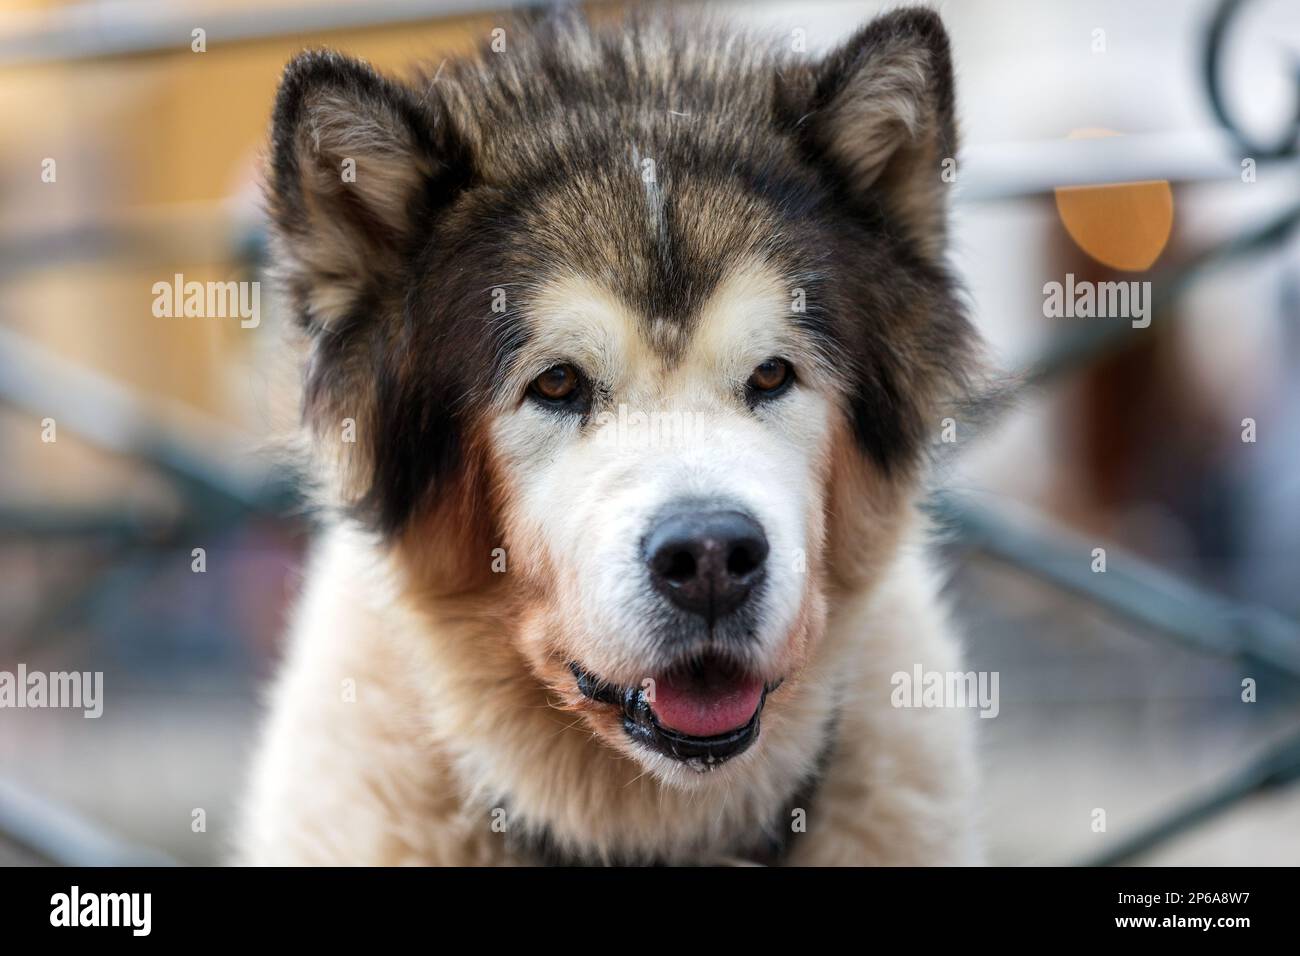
[{"x": 627, "y": 348}]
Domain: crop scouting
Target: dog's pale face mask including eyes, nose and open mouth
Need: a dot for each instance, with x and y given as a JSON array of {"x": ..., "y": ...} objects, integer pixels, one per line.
[{"x": 665, "y": 488}]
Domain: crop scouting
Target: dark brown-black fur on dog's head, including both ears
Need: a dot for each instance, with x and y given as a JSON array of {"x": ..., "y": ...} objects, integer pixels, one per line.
[{"x": 513, "y": 166}]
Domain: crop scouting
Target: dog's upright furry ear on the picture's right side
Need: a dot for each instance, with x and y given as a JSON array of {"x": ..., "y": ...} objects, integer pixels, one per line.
[{"x": 879, "y": 113}]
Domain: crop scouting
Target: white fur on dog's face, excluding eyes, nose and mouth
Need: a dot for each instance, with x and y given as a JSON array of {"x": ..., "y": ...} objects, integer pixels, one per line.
[{"x": 583, "y": 498}]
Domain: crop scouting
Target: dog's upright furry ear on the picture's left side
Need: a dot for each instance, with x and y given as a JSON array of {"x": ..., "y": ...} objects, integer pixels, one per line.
[{"x": 358, "y": 166}]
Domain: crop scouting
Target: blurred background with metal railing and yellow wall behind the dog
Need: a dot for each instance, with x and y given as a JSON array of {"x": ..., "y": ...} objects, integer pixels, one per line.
[{"x": 1103, "y": 140}]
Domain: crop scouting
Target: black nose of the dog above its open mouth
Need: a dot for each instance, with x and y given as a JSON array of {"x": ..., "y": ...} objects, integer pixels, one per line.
[{"x": 707, "y": 563}]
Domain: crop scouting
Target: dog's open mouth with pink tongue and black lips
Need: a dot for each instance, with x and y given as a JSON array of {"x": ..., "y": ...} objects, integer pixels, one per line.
[{"x": 701, "y": 713}]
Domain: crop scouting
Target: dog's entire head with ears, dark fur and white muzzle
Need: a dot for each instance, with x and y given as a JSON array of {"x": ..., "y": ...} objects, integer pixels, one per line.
[{"x": 643, "y": 335}]
